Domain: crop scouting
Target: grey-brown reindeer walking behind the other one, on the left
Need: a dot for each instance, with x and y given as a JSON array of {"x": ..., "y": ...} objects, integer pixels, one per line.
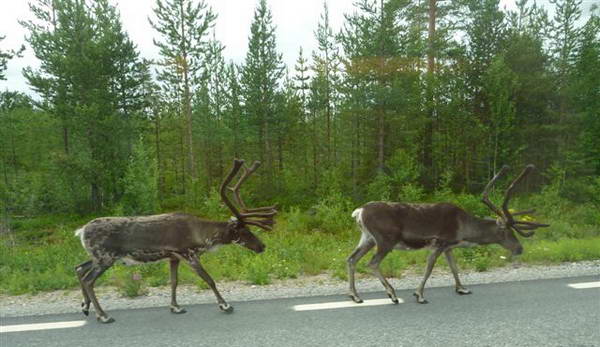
[{"x": 173, "y": 236}]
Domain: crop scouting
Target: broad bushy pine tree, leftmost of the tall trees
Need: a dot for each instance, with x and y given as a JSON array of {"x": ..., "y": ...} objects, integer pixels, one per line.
[{"x": 90, "y": 78}]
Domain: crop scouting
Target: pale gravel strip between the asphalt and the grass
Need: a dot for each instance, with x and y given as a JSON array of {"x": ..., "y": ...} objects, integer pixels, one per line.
[{"x": 68, "y": 301}]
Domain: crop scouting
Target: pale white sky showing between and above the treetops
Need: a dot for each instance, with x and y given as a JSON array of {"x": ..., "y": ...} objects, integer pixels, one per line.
[{"x": 295, "y": 23}]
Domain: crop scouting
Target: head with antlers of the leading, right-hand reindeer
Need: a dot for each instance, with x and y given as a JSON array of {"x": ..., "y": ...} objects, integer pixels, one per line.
[{"x": 506, "y": 225}]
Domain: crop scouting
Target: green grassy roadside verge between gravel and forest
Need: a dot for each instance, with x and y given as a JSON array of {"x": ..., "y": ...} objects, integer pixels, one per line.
[{"x": 41, "y": 253}]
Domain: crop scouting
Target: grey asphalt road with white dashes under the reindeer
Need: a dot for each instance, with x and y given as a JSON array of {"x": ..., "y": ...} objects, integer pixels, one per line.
[{"x": 529, "y": 313}]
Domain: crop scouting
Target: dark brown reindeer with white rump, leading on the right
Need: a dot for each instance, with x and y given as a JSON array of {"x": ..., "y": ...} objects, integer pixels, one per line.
[{"x": 440, "y": 227}]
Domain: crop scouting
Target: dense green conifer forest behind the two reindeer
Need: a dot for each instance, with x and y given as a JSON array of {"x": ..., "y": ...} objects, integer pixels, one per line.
[{"x": 412, "y": 101}]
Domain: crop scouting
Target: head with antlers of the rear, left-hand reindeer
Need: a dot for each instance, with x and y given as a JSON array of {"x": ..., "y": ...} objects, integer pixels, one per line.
[{"x": 261, "y": 217}]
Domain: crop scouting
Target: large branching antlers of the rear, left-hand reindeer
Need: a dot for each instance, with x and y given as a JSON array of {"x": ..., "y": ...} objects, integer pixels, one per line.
[{"x": 264, "y": 215}]
